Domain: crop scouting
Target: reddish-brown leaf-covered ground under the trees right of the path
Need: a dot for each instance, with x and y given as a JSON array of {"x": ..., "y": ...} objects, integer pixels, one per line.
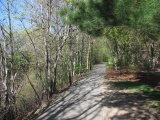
[{"x": 140, "y": 75}]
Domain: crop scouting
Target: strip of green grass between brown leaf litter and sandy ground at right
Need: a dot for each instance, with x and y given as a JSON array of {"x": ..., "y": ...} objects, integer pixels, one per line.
[{"x": 139, "y": 89}]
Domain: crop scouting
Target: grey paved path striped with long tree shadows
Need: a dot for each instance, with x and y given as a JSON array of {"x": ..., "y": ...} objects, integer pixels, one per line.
[{"x": 83, "y": 101}]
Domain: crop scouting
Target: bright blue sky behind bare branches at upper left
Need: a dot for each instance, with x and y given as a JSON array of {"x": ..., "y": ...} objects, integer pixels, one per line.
[{"x": 17, "y": 10}]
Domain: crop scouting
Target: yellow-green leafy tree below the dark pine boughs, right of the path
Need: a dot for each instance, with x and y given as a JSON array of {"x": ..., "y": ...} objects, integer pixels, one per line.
[{"x": 124, "y": 44}]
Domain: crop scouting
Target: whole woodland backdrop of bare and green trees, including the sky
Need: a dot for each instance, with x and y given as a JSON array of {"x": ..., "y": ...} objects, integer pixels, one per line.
[{"x": 47, "y": 45}]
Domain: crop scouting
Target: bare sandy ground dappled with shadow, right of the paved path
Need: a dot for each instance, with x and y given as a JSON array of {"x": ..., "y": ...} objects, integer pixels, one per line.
[{"x": 120, "y": 104}]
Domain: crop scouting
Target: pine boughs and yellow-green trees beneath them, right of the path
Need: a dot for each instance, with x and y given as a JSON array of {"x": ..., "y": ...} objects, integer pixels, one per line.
[{"x": 131, "y": 27}]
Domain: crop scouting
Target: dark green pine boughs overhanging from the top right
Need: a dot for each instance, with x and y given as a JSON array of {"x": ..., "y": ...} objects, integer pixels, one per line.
[{"x": 93, "y": 16}]
